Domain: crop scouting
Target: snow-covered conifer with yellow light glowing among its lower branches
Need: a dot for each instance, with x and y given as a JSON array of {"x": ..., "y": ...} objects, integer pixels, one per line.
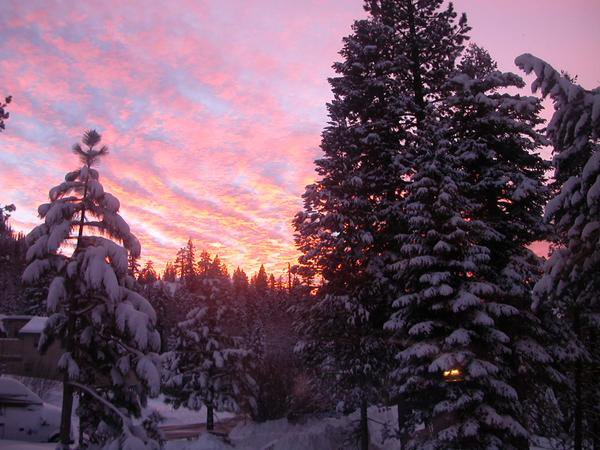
[{"x": 451, "y": 373}]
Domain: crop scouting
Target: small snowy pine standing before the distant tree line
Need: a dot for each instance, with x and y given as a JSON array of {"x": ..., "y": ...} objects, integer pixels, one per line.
[{"x": 209, "y": 366}]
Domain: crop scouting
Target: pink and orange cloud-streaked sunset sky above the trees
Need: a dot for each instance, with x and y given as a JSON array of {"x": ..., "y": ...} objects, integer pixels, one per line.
[{"x": 212, "y": 109}]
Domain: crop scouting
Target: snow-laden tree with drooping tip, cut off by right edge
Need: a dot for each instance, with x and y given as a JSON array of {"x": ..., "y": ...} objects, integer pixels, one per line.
[{"x": 570, "y": 284}]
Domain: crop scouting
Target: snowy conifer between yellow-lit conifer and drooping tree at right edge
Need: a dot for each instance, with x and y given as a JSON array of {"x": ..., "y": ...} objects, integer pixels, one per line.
[{"x": 493, "y": 135}]
